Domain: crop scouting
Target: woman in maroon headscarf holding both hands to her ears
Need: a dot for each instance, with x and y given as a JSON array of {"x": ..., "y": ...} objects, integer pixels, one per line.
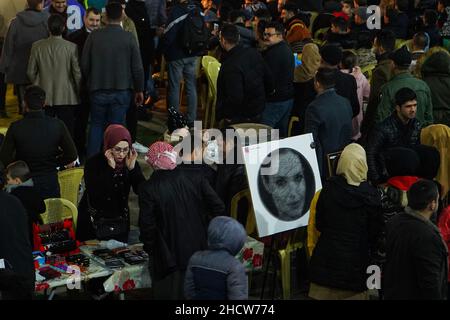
[{"x": 109, "y": 175}]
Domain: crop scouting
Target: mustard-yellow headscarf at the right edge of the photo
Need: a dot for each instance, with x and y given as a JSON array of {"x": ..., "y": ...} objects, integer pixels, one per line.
[{"x": 438, "y": 136}]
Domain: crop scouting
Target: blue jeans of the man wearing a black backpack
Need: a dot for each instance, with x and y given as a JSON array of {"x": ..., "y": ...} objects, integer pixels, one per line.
[{"x": 176, "y": 70}]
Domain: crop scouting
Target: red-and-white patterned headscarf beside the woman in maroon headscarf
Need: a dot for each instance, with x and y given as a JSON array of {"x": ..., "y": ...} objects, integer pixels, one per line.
[{"x": 161, "y": 156}]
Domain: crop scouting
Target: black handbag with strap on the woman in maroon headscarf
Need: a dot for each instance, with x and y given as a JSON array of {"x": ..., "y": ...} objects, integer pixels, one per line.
[{"x": 106, "y": 228}]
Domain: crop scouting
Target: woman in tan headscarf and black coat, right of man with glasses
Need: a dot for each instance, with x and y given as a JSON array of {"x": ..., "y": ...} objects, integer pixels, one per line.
[{"x": 304, "y": 92}]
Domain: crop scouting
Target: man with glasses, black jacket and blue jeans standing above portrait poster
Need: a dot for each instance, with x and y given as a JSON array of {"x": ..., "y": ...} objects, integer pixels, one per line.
[{"x": 280, "y": 59}]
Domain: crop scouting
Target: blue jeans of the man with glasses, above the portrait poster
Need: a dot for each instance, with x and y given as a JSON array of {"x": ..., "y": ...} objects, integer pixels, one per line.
[{"x": 276, "y": 115}]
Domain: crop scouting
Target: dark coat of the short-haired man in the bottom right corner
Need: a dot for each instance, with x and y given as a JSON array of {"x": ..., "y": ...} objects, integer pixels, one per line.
[{"x": 416, "y": 259}]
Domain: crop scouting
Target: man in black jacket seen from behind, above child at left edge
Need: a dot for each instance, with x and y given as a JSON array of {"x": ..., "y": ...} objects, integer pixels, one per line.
[{"x": 44, "y": 143}]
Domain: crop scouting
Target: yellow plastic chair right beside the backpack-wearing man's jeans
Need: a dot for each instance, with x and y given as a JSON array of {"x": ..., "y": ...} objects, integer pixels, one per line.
[{"x": 212, "y": 69}]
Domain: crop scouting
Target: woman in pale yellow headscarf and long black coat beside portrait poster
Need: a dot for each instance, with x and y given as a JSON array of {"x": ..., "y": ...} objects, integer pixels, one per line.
[{"x": 348, "y": 218}]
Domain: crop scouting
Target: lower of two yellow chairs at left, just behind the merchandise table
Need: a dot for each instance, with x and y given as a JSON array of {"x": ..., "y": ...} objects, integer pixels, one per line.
[{"x": 58, "y": 209}]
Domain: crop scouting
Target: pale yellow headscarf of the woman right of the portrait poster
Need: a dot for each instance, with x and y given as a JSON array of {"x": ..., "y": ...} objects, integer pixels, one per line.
[{"x": 353, "y": 164}]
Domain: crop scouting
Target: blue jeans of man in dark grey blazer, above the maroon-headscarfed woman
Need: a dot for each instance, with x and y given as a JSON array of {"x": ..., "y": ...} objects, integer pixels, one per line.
[{"x": 107, "y": 107}]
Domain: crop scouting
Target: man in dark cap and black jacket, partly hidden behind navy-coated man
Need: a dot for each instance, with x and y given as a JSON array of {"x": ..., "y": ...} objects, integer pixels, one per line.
[{"x": 345, "y": 83}]
